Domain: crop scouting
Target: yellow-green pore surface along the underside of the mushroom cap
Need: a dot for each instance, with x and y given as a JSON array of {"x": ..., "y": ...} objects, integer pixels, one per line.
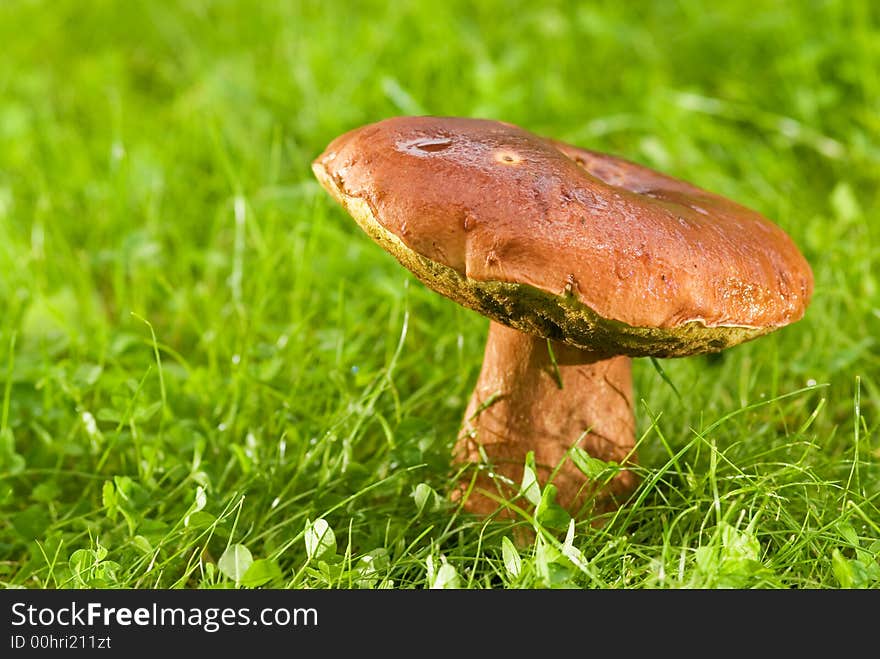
[{"x": 542, "y": 313}]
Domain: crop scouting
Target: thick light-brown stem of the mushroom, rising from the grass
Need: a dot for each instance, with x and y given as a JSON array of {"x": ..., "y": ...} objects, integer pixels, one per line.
[{"x": 524, "y": 402}]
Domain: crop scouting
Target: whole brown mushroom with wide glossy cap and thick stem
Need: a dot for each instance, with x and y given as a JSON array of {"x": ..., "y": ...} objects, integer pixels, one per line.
[{"x": 582, "y": 261}]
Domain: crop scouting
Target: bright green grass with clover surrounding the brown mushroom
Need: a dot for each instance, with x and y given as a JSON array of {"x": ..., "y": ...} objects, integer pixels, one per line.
[{"x": 205, "y": 364}]
